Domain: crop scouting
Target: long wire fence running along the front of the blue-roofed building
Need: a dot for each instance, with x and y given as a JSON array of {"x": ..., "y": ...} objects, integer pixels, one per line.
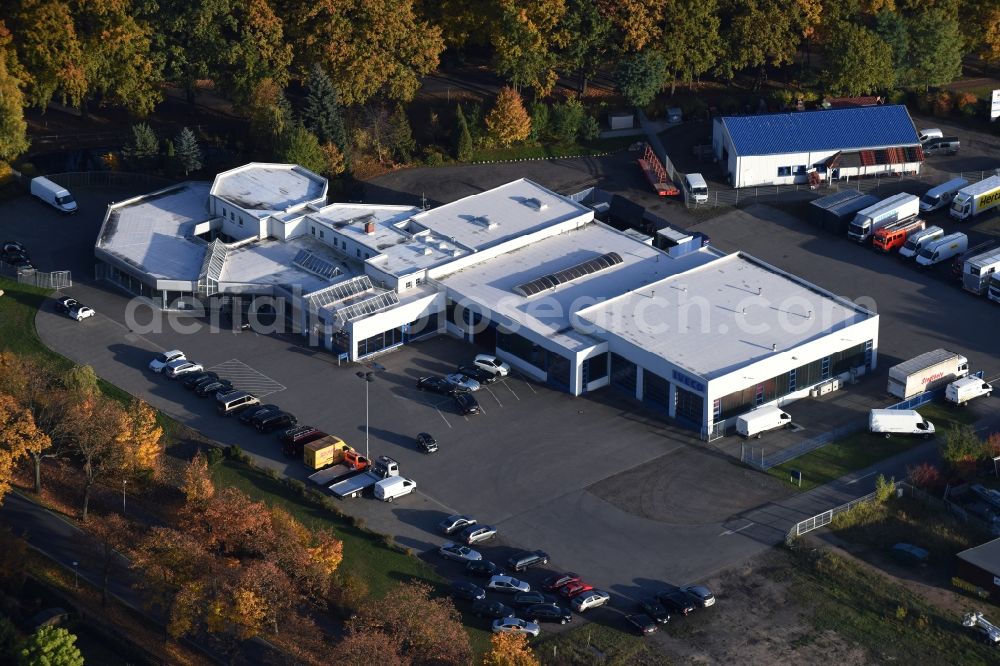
[{"x": 733, "y": 197}]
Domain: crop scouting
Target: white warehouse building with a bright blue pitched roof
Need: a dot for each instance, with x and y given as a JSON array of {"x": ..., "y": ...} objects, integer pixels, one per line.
[{"x": 816, "y": 146}]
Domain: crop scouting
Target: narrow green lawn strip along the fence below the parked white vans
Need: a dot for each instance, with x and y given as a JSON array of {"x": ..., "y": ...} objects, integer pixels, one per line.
[{"x": 862, "y": 449}]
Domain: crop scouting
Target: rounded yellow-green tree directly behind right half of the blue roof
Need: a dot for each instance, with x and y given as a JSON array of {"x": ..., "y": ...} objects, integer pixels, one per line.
[{"x": 858, "y": 62}]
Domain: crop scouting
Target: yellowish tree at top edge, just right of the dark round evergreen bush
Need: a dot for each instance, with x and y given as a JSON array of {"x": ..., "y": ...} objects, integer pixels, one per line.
[{"x": 691, "y": 43}]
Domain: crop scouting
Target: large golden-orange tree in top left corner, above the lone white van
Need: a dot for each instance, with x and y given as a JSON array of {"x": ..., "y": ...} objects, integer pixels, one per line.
[{"x": 49, "y": 48}]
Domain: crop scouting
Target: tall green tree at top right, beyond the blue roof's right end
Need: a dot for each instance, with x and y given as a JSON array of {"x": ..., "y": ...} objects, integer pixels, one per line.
[{"x": 935, "y": 55}]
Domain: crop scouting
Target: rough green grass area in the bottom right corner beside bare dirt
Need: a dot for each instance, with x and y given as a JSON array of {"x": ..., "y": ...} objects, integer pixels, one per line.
[{"x": 868, "y": 609}]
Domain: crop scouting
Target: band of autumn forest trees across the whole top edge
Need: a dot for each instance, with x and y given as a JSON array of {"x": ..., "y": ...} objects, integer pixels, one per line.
[{"x": 123, "y": 53}]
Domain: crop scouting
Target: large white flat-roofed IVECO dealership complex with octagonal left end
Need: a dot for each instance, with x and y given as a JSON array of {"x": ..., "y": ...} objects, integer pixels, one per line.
[{"x": 698, "y": 335}]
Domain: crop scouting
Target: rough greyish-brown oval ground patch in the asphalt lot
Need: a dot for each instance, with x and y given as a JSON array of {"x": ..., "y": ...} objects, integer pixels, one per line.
[{"x": 689, "y": 486}]
